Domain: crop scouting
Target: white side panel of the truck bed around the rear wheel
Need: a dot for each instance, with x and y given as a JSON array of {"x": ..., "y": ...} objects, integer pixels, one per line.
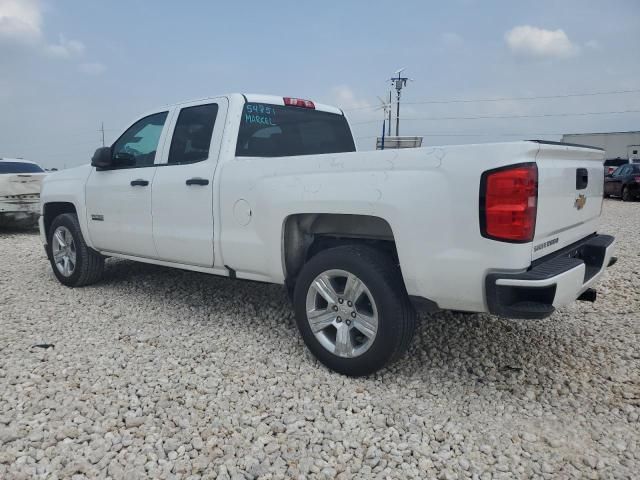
[{"x": 429, "y": 197}]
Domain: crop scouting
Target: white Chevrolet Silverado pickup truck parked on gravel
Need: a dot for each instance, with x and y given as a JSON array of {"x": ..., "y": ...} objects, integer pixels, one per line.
[{"x": 271, "y": 189}]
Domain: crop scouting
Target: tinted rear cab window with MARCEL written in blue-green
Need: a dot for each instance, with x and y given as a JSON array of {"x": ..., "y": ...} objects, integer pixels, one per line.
[{"x": 279, "y": 131}]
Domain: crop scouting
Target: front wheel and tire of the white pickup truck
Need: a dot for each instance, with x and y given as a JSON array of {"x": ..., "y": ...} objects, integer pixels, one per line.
[{"x": 87, "y": 265}]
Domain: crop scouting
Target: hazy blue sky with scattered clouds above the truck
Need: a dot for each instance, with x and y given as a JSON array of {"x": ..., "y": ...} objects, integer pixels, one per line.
[{"x": 67, "y": 66}]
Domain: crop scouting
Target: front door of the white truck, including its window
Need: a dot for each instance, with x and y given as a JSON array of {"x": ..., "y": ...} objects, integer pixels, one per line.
[{"x": 119, "y": 199}]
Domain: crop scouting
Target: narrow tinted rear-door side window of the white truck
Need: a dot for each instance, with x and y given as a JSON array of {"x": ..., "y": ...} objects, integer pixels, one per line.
[{"x": 192, "y": 135}]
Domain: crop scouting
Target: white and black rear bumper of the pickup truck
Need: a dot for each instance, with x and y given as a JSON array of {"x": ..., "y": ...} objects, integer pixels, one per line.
[{"x": 550, "y": 282}]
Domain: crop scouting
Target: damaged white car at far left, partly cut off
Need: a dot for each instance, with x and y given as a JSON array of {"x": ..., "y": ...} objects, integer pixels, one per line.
[{"x": 20, "y": 184}]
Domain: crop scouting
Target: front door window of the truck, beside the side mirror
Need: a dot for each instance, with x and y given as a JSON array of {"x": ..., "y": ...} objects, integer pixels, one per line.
[{"x": 137, "y": 146}]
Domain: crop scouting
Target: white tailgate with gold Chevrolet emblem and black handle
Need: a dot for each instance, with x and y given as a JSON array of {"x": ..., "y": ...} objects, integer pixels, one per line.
[{"x": 570, "y": 185}]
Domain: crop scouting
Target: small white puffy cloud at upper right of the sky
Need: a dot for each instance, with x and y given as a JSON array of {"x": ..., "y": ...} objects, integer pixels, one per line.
[{"x": 528, "y": 41}]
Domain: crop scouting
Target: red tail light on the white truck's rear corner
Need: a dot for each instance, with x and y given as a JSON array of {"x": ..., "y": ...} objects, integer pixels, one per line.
[{"x": 508, "y": 203}]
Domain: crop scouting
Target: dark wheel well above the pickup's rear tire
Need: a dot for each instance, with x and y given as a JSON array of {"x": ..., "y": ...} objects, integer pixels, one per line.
[{"x": 307, "y": 234}]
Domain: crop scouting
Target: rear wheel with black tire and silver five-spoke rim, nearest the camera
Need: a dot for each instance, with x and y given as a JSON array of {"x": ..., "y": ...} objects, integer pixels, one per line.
[{"x": 383, "y": 298}]
